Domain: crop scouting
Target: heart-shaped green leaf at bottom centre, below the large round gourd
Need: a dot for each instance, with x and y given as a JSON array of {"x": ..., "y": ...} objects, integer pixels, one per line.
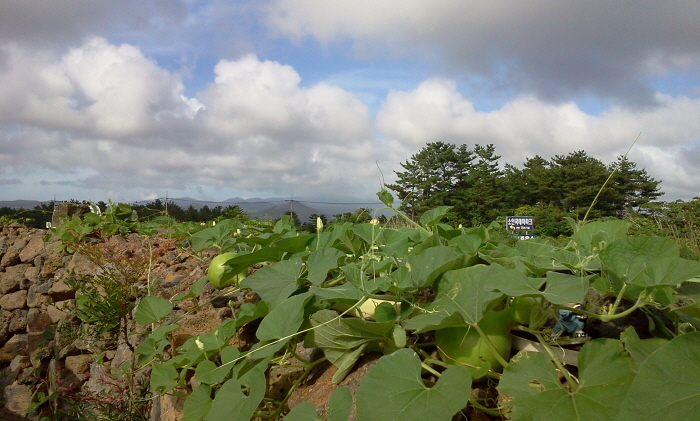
[{"x": 393, "y": 390}]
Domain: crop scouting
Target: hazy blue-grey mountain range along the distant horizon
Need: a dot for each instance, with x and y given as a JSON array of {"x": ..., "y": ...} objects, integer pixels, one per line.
[{"x": 259, "y": 208}]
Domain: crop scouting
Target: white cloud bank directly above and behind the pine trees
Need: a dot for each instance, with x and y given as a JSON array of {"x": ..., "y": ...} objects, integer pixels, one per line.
[{"x": 525, "y": 127}]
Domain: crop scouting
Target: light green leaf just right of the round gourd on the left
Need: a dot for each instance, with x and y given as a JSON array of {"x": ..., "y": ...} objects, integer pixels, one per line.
[{"x": 276, "y": 282}]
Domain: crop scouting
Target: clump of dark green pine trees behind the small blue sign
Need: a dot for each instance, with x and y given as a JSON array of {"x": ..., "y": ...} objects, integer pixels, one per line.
[{"x": 480, "y": 190}]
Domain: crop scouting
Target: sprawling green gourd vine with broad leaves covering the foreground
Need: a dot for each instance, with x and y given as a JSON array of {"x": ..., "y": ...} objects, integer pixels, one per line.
[{"x": 406, "y": 293}]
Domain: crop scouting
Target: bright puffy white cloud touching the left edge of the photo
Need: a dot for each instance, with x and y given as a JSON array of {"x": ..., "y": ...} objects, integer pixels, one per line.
[{"x": 97, "y": 88}]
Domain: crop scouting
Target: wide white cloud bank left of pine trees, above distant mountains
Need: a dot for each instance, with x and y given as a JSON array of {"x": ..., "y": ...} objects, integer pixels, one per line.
[{"x": 123, "y": 120}]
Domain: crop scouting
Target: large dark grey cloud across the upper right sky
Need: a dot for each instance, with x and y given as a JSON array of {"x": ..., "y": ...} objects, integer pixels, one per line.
[{"x": 550, "y": 49}]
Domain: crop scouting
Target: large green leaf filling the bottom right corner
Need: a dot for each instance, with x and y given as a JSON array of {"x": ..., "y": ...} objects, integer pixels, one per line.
[{"x": 667, "y": 386}]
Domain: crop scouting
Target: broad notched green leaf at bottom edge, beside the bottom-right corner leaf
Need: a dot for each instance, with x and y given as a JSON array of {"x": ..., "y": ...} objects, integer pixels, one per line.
[{"x": 605, "y": 374}]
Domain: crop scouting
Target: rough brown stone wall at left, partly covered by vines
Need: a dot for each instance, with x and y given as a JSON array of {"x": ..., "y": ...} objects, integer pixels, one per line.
[{"x": 38, "y": 349}]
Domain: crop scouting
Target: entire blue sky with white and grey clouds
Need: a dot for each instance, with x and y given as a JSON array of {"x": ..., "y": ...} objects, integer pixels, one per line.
[{"x": 128, "y": 100}]
